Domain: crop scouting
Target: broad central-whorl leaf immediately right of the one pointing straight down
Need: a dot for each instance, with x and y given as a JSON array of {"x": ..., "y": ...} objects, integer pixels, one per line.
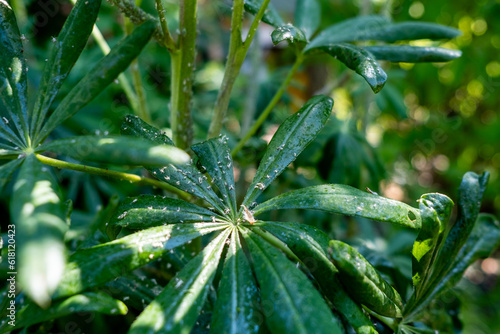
[{"x": 290, "y": 302}]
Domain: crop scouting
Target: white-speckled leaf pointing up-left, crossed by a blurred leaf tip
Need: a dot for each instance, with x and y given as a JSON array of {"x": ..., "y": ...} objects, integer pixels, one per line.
[{"x": 187, "y": 178}]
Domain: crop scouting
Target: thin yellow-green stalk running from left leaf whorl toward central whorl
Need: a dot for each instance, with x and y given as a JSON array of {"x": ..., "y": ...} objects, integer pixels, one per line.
[{"x": 109, "y": 173}]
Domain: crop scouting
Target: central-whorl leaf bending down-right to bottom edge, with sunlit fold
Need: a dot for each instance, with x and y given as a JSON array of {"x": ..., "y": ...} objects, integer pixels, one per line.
[{"x": 311, "y": 247}]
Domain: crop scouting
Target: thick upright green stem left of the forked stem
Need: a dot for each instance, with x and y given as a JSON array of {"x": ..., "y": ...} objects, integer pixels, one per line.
[{"x": 182, "y": 65}]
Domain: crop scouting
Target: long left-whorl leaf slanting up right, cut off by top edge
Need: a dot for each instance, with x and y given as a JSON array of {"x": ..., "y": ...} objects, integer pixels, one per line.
[{"x": 65, "y": 51}]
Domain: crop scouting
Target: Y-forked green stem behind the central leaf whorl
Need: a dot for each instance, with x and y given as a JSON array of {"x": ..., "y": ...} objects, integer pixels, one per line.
[{"x": 237, "y": 53}]
